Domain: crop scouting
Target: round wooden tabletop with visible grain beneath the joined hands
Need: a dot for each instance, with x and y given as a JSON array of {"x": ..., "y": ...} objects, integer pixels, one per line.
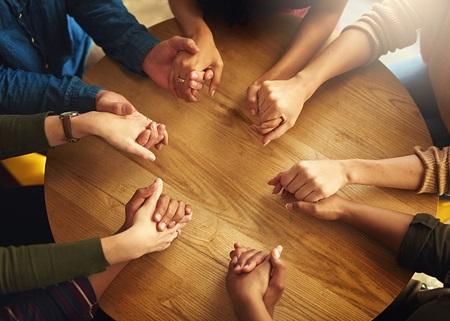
[{"x": 216, "y": 163}]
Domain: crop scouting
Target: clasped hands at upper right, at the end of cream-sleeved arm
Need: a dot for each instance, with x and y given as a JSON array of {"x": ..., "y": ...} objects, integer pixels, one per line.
[{"x": 277, "y": 105}]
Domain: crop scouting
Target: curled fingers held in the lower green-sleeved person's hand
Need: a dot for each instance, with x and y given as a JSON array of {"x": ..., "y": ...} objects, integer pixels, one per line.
[{"x": 169, "y": 212}]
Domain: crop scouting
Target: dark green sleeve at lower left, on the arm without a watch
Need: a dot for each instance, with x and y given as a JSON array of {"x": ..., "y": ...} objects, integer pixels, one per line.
[{"x": 35, "y": 266}]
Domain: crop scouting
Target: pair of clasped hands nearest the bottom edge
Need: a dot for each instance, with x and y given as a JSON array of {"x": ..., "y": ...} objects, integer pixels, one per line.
[{"x": 264, "y": 282}]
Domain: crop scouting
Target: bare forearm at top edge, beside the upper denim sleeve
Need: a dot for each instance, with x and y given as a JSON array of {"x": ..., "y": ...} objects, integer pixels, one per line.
[{"x": 190, "y": 19}]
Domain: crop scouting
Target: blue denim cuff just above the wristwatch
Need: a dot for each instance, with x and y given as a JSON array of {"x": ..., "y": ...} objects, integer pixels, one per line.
[{"x": 80, "y": 96}]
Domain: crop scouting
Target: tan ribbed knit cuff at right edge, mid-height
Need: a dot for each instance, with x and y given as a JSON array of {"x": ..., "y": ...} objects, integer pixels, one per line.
[{"x": 437, "y": 169}]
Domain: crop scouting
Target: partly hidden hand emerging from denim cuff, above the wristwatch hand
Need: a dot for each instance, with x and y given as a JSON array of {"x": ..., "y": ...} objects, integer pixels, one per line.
[{"x": 109, "y": 101}]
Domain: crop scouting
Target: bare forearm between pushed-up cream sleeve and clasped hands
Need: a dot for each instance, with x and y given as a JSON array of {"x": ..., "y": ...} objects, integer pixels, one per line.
[{"x": 350, "y": 50}]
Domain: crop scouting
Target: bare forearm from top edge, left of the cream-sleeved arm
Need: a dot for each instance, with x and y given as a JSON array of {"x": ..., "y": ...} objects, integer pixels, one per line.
[{"x": 314, "y": 31}]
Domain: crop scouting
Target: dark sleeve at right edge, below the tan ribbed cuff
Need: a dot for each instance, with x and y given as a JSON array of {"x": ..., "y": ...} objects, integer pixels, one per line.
[{"x": 426, "y": 247}]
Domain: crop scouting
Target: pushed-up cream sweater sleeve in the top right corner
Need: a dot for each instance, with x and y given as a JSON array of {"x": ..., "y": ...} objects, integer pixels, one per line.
[{"x": 392, "y": 24}]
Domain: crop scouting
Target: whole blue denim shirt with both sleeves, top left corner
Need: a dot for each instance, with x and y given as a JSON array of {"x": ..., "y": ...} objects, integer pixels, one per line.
[{"x": 44, "y": 44}]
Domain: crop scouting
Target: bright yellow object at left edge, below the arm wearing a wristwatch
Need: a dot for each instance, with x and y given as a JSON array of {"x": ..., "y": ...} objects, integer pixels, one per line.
[{"x": 28, "y": 170}]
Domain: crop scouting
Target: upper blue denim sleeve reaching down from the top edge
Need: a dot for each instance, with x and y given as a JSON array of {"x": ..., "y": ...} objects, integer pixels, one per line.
[{"x": 114, "y": 29}]
